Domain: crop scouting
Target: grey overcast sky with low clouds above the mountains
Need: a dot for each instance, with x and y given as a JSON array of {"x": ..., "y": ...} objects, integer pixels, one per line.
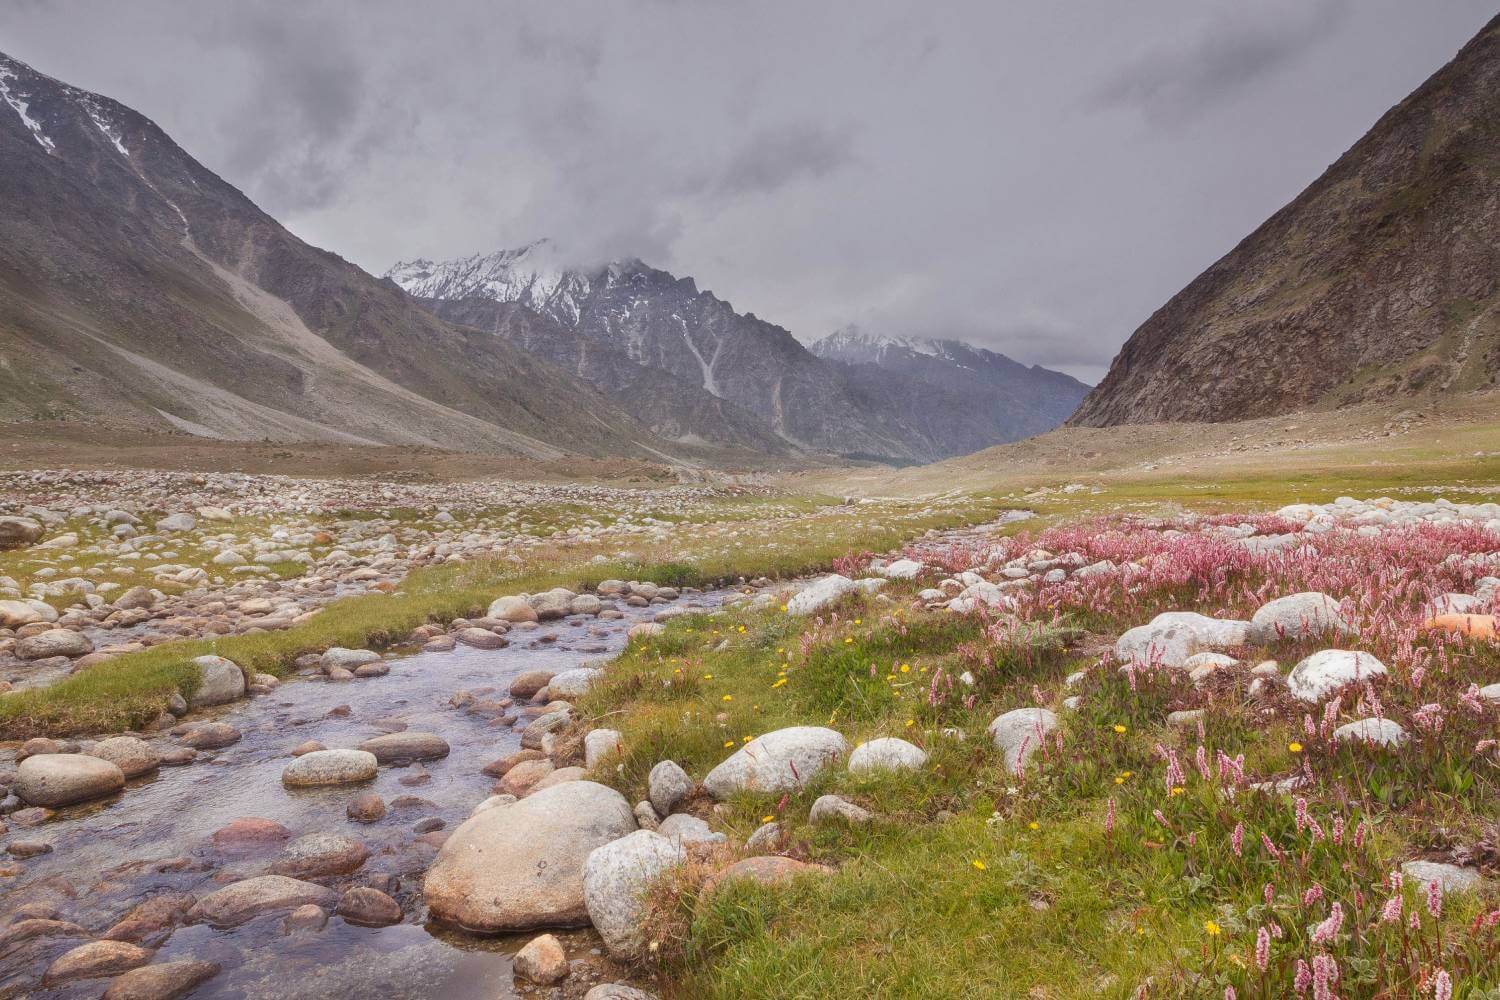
[{"x": 1037, "y": 178}]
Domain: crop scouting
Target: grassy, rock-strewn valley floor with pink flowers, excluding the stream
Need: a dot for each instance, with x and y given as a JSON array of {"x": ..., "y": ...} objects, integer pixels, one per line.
[{"x": 1178, "y": 830}]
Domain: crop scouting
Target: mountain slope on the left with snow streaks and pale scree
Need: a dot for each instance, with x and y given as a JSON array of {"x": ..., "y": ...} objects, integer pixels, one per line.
[{"x": 139, "y": 289}]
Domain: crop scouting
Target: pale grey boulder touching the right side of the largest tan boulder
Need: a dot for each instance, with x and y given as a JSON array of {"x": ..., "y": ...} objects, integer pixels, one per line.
[{"x": 616, "y": 881}]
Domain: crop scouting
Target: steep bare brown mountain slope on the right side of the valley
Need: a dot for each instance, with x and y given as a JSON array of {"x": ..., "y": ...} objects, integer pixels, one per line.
[{"x": 1381, "y": 280}]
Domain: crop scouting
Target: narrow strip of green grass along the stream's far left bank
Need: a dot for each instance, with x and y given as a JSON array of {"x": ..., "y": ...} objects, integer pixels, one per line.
[{"x": 134, "y": 689}]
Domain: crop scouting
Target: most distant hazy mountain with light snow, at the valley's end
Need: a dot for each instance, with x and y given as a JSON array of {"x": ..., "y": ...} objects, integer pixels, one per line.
[{"x": 998, "y": 400}]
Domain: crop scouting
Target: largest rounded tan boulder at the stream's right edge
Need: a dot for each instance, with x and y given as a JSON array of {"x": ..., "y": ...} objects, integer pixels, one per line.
[{"x": 521, "y": 867}]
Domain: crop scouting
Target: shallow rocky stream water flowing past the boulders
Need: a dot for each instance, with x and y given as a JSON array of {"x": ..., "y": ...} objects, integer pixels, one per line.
[{"x": 107, "y": 855}]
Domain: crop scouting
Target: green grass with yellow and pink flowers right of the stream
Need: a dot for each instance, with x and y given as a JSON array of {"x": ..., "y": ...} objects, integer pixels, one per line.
[{"x": 977, "y": 882}]
